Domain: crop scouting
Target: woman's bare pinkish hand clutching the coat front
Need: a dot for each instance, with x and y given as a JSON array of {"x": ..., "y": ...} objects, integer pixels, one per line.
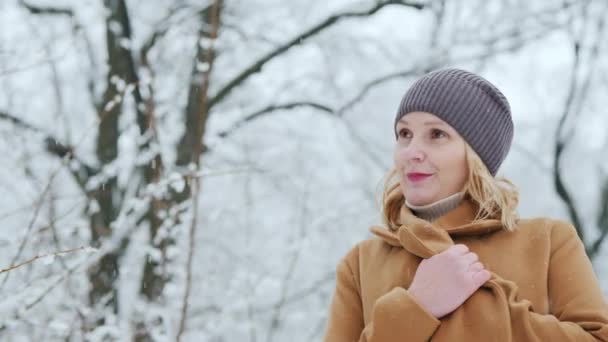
[{"x": 444, "y": 281}]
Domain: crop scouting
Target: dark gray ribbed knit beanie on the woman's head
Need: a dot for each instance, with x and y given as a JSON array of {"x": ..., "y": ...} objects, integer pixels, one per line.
[{"x": 473, "y": 106}]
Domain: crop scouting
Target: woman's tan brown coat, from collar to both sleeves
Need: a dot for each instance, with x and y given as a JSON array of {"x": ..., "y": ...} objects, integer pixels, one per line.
[{"x": 542, "y": 289}]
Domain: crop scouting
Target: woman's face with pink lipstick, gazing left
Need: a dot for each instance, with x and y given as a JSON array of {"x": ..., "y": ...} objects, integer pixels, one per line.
[{"x": 430, "y": 157}]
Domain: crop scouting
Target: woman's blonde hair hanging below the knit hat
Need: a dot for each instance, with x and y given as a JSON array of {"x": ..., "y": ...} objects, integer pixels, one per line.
[{"x": 496, "y": 197}]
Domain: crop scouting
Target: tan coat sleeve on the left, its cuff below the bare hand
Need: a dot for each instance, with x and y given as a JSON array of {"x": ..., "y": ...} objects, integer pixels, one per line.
[{"x": 395, "y": 315}]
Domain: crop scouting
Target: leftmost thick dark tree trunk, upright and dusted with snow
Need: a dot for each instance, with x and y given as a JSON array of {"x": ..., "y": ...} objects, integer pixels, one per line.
[{"x": 106, "y": 196}]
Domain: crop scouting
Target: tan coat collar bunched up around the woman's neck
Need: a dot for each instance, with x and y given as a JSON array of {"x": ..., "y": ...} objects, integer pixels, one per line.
[{"x": 426, "y": 239}]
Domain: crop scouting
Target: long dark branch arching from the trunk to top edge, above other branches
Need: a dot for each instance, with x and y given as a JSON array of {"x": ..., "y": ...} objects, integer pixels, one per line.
[{"x": 257, "y": 66}]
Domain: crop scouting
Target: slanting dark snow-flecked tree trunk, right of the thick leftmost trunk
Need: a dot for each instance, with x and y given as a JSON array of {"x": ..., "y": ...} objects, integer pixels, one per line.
[{"x": 189, "y": 150}]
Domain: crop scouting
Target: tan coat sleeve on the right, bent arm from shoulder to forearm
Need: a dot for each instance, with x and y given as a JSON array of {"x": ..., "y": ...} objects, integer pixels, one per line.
[{"x": 578, "y": 309}]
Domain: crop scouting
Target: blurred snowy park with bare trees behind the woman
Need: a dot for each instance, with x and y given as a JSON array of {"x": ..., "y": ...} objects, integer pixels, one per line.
[{"x": 193, "y": 170}]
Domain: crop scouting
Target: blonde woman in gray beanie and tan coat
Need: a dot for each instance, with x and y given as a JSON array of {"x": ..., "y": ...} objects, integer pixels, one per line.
[{"x": 456, "y": 264}]
